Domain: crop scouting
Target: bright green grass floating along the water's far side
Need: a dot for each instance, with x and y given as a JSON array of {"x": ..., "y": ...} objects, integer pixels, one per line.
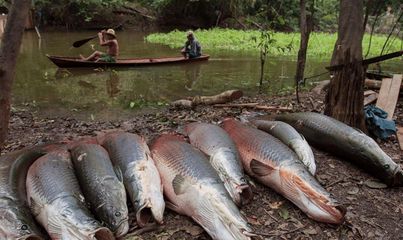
[{"x": 320, "y": 44}]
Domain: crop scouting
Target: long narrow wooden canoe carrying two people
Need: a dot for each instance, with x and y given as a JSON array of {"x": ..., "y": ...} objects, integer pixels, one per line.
[{"x": 73, "y": 62}]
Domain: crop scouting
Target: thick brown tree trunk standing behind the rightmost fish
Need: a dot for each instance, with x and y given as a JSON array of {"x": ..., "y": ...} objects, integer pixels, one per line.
[{"x": 344, "y": 100}]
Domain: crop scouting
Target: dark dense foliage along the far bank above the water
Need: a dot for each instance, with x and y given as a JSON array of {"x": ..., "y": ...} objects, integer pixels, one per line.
[{"x": 283, "y": 15}]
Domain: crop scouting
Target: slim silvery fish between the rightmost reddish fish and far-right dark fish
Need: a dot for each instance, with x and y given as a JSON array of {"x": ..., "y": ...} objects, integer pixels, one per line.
[{"x": 290, "y": 137}]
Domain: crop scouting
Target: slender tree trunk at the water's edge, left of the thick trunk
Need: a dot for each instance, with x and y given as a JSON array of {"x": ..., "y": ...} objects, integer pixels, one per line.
[{"x": 305, "y": 32}]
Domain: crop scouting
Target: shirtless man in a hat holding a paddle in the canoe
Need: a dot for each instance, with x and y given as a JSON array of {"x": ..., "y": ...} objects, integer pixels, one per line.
[{"x": 108, "y": 39}]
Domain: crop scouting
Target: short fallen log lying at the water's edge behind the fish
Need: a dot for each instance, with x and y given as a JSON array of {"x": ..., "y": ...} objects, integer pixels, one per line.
[{"x": 224, "y": 97}]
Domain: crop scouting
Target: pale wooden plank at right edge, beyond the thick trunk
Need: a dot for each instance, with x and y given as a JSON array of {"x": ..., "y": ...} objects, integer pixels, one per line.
[{"x": 389, "y": 93}]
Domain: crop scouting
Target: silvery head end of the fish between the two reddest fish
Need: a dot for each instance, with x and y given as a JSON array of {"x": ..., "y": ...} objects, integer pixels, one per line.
[{"x": 227, "y": 164}]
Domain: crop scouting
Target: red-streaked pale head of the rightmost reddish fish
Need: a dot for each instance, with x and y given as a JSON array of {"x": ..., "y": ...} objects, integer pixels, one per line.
[{"x": 305, "y": 192}]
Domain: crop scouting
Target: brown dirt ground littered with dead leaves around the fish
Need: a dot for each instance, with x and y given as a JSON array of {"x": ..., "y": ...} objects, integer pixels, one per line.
[{"x": 373, "y": 212}]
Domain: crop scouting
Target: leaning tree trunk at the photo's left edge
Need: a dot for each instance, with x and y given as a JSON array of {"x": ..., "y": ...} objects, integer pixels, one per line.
[{"x": 9, "y": 50}]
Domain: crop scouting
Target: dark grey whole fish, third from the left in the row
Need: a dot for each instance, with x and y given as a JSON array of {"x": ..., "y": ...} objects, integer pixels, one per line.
[{"x": 102, "y": 189}]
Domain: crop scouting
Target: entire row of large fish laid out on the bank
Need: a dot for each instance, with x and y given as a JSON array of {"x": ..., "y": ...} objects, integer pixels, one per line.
[{"x": 202, "y": 179}]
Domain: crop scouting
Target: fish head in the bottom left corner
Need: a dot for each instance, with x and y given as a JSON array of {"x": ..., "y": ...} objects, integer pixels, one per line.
[{"x": 18, "y": 224}]
